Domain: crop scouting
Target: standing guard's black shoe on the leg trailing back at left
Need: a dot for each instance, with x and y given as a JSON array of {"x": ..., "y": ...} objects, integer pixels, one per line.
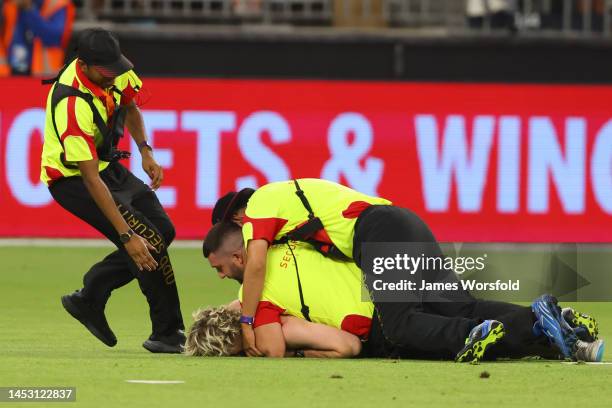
[{"x": 92, "y": 318}]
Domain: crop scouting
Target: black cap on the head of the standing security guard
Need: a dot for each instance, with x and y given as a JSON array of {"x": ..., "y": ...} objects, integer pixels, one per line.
[{"x": 100, "y": 49}]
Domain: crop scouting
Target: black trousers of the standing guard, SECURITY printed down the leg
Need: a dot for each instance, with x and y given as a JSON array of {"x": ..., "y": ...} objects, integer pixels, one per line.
[{"x": 144, "y": 214}]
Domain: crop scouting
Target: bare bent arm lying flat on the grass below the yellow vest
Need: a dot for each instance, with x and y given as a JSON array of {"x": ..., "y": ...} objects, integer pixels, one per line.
[{"x": 319, "y": 340}]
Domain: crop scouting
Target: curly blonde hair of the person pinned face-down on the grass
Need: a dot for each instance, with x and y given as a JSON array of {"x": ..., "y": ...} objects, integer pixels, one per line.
[{"x": 214, "y": 332}]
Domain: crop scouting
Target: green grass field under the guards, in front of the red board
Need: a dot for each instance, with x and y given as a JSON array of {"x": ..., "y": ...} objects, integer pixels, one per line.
[{"x": 41, "y": 345}]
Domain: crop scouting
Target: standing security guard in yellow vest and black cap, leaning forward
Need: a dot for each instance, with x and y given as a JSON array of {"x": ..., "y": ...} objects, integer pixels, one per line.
[{"x": 90, "y": 102}]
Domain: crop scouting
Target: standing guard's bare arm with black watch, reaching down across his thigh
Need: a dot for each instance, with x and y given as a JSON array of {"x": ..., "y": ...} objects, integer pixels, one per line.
[{"x": 137, "y": 246}]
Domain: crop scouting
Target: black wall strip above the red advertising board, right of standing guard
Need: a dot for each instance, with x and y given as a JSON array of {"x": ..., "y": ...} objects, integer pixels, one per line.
[{"x": 371, "y": 57}]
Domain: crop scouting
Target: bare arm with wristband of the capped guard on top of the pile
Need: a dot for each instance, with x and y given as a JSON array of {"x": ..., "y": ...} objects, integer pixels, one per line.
[{"x": 252, "y": 287}]
